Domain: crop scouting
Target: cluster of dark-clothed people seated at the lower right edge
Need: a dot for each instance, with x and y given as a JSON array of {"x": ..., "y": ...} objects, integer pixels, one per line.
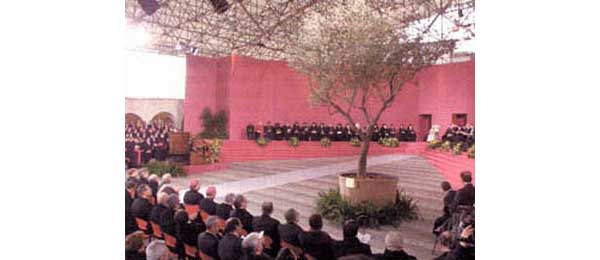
[{"x": 455, "y": 229}]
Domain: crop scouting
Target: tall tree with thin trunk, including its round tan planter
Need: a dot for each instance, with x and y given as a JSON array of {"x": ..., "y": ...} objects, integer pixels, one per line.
[{"x": 357, "y": 57}]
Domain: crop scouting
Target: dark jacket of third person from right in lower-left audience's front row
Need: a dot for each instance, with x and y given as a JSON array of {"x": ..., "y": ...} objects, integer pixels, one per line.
[{"x": 318, "y": 244}]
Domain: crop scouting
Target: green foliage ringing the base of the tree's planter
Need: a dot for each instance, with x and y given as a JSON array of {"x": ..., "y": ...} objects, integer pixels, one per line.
[{"x": 332, "y": 206}]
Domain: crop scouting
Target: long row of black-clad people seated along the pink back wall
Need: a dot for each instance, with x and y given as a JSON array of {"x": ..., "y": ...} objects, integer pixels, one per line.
[{"x": 315, "y": 132}]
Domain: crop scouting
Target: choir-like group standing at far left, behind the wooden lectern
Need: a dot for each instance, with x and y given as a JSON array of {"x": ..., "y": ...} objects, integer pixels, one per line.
[{"x": 146, "y": 142}]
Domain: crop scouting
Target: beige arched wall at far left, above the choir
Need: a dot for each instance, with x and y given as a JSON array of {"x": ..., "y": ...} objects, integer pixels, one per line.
[{"x": 147, "y": 108}]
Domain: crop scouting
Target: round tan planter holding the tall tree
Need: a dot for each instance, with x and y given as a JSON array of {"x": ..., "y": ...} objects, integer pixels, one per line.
[{"x": 377, "y": 188}]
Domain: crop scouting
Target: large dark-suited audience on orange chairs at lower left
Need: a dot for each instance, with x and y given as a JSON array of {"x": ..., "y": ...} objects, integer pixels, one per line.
[{"x": 200, "y": 228}]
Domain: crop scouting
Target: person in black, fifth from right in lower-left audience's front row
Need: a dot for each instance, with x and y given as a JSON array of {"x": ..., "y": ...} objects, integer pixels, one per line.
[{"x": 269, "y": 225}]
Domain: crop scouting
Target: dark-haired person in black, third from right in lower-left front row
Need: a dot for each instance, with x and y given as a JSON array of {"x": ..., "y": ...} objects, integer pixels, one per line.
[{"x": 315, "y": 242}]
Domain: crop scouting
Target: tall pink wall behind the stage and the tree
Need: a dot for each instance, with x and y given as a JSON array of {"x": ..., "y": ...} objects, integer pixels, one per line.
[{"x": 254, "y": 90}]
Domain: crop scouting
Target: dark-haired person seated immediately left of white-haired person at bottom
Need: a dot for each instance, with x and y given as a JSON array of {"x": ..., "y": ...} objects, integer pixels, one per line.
[{"x": 230, "y": 246}]
